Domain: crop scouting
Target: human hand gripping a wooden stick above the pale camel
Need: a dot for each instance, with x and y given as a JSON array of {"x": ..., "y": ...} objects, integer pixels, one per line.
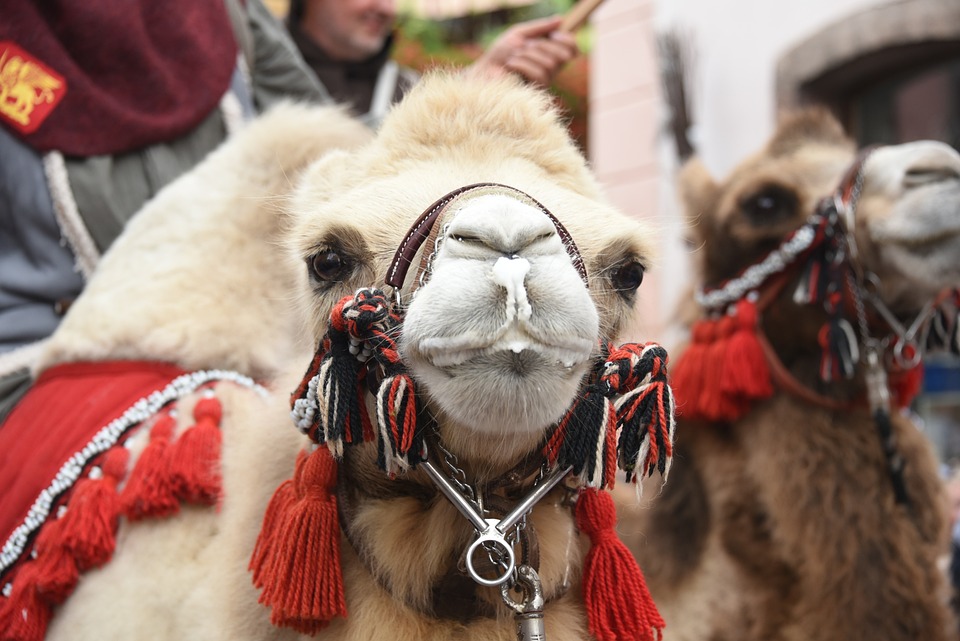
[{"x": 535, "y": 50}]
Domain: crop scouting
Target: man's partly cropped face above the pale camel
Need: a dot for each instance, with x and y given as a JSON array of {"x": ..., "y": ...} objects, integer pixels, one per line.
[{"x": 348, "y": 30}]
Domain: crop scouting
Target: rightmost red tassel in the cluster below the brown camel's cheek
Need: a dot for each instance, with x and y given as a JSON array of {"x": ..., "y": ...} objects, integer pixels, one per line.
[{"x": 746, "y": 372}]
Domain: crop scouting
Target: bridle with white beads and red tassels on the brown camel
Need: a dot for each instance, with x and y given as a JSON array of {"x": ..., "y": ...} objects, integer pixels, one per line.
[{"x": 730, "y": 364}]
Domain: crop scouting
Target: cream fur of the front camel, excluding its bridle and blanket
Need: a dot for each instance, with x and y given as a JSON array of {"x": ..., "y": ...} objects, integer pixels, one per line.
[{"x": 499, "y": 339}]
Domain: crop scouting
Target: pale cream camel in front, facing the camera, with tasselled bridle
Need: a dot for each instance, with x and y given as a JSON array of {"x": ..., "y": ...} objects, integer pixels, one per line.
[{"x": 260, "y": 258}]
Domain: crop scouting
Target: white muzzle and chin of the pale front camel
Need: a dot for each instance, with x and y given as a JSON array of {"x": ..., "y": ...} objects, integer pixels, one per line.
[{"x": 507, "y": 355}]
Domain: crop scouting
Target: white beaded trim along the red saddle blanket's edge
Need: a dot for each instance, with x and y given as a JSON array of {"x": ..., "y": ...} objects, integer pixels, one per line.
[{"x": 103, "y": 440}]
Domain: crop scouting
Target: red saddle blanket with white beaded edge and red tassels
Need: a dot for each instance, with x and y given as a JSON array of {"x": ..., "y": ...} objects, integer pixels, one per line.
[{"x": 68, "y": 481}]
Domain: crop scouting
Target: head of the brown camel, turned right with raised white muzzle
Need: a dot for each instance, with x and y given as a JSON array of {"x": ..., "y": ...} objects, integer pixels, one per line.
[{"x": 891, "y": 246}]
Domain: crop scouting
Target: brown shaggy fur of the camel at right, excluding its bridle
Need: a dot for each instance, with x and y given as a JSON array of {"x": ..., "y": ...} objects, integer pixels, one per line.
[{"x": 783, "y": 524}]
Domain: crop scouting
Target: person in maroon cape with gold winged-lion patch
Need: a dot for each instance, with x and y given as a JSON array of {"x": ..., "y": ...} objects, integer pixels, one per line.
[{"x": 102, "y": 104}]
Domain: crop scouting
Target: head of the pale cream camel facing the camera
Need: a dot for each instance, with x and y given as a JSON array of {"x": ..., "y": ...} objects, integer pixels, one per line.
[{"x": 505, "y": 304}]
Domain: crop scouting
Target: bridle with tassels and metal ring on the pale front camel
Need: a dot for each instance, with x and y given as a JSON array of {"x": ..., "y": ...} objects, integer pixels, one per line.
[{"x": 622, "y": 418}]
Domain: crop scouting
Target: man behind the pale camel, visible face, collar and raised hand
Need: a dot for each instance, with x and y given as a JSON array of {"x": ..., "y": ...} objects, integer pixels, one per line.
[{"x": 347, "y": 43}]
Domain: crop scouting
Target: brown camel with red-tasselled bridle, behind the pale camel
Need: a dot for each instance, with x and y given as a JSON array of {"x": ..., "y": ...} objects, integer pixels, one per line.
[{"x": 789, "y": 514}]
